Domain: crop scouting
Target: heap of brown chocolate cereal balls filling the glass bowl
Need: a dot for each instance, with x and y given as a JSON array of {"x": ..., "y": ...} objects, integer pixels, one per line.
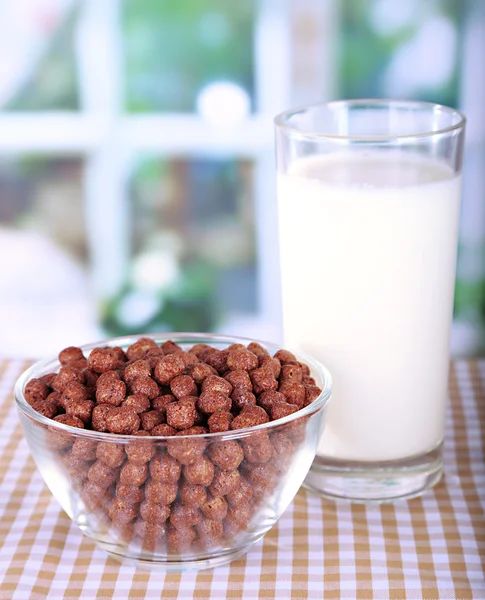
[{"x": 187, "y": 492}]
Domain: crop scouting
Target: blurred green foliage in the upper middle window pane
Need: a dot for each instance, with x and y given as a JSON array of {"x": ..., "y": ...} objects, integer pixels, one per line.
[{"x": 173, "y": 48}]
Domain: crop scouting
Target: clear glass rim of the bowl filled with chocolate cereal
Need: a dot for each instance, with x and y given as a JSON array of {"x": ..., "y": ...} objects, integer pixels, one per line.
[{"x": 36, "y": 370}]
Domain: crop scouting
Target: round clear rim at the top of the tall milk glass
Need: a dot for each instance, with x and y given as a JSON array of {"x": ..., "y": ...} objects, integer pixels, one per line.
[{"x": 281, "y": 120}]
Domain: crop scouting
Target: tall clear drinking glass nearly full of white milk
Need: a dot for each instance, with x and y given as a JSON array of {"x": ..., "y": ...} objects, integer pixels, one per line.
[{"x": 368, "y": 202}]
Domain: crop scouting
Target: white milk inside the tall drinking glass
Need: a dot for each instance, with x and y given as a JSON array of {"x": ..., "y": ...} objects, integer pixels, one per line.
[{"x": 368, "y": 254}]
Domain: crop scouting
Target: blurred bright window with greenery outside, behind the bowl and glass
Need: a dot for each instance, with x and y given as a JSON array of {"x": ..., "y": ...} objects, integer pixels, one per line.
[{"x": 136, "y": 153}]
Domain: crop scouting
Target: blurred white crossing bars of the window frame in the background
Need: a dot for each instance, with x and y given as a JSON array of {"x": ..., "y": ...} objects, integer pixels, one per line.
[{"x": 108, "y": 139}]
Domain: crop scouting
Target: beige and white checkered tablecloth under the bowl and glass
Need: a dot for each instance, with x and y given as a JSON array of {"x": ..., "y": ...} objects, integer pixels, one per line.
[{"x": 429, "y": 547}]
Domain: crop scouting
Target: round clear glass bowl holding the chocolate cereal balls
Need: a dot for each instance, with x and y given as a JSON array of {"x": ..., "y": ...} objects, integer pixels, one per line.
[{"x": 249, "y": 501}]
